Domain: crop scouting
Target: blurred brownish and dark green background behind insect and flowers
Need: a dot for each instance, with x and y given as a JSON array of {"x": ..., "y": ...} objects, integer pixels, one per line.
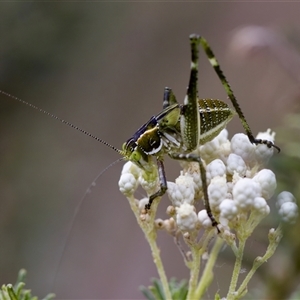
[{"x": 103, "y": 67}]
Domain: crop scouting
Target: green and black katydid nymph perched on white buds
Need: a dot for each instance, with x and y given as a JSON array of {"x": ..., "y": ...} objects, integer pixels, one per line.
[{"x": 179, "y": 128}]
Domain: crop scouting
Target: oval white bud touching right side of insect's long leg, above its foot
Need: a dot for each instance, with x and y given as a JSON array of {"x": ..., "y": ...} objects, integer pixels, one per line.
[{"x": 217, "y": 191}]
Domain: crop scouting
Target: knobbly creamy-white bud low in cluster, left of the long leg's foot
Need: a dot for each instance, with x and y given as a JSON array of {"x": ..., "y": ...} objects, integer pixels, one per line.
[{"x": 186, "y": 217}]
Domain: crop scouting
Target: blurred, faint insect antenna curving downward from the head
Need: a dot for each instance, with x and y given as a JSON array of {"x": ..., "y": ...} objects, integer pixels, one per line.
[{"x": 75, "y": 214}]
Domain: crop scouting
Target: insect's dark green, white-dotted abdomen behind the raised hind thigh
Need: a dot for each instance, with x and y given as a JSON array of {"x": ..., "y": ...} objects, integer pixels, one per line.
[{"x": 214, "y": 116}]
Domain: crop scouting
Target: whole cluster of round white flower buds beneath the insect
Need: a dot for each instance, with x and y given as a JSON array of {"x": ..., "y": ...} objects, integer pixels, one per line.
[{"x": 238, "y": 184}]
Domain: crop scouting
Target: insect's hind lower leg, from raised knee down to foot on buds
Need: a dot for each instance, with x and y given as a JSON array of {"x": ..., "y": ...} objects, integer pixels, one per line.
[{"x": 213, "y": 61}]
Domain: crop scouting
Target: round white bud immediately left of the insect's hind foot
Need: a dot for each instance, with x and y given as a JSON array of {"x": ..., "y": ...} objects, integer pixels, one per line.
[{"x": 240, "y": 145}]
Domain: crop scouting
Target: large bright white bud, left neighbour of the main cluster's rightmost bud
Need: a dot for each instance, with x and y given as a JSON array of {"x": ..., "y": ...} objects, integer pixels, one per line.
[{"x": 244, "y": 192}]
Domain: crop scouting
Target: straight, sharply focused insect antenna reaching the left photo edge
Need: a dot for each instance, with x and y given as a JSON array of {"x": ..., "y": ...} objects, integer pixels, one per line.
[{"x": 62, "y": 121}]
